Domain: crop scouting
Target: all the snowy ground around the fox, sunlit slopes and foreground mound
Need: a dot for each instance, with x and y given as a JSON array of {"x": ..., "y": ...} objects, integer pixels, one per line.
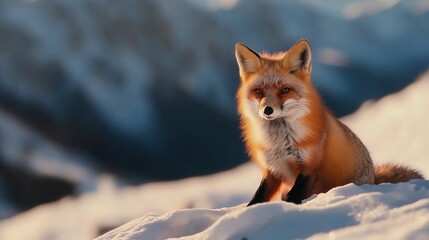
[{"x": 394, "y": 128}]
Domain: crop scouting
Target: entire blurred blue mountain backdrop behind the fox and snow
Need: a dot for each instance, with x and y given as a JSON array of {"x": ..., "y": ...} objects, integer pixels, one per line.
[{"x": 145, "y": 90}]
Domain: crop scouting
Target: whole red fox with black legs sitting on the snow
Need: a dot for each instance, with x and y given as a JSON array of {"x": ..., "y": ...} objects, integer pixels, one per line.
[{"x": 299, "y": 144}]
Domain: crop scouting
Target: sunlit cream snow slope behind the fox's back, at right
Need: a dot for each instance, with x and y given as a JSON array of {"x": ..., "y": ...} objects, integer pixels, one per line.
[{"x": 394, "y": 128}]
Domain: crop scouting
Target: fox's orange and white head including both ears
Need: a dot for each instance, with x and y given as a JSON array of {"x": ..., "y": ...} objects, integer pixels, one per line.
[{"x": 275, "y": 86}]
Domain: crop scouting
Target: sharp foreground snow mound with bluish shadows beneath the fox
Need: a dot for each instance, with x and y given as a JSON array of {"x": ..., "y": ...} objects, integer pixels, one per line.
[{"x": 347, "y": 212}]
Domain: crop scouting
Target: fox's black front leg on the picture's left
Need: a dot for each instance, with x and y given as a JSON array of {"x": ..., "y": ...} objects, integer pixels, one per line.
[{"x": 268, "y": 187}]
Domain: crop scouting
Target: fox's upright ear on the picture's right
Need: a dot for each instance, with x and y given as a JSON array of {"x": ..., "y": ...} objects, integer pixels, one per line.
[{"x": 298, "y": 57}]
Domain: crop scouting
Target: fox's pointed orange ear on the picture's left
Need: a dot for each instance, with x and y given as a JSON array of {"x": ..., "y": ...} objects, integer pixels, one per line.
[{"x": 248, "y": 60}]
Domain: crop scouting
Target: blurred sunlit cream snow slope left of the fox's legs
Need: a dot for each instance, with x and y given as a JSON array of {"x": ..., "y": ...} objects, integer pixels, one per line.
[{"x": 111, "y": 205}]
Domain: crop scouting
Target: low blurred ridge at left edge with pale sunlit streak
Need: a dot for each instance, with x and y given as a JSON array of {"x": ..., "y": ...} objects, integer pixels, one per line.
[{"x": 35, "y": 170}]
